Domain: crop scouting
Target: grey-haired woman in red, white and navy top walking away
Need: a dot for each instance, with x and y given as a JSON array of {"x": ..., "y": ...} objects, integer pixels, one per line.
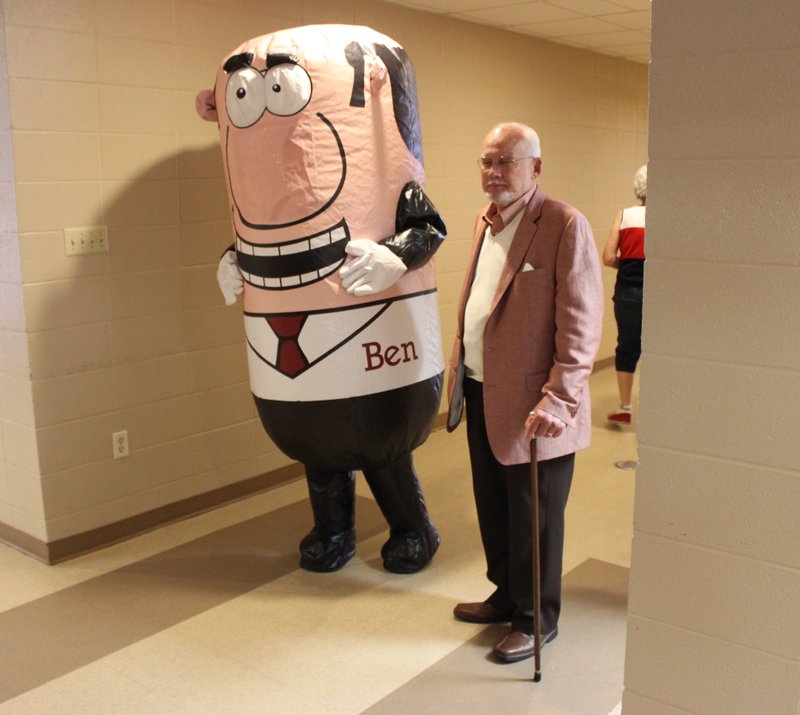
[{"x": 624, "y": 250}]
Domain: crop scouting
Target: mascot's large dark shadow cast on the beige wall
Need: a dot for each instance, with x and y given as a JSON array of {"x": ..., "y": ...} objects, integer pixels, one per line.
[{"x": 138, "y": 340}]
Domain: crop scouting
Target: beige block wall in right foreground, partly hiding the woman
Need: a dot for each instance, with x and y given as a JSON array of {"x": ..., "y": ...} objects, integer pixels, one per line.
[{"x": 714, "y": 624}]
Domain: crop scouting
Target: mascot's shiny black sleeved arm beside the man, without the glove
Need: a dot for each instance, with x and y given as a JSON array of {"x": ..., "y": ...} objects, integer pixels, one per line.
[{"x": 419, "y": 228}]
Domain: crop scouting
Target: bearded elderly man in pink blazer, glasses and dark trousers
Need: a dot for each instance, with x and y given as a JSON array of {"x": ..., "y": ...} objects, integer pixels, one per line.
[{"x": 529, "y": 326}]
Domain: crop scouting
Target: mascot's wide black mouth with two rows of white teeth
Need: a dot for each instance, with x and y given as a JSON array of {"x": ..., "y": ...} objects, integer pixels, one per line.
[{"x": 299, "y": 262}]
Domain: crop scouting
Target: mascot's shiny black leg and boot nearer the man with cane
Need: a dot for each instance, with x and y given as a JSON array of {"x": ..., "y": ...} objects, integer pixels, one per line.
[{"x": 413, "y": 540}]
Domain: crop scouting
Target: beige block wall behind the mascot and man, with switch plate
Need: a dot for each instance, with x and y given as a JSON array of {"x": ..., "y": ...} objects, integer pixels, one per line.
[{"x": 104, "y": 132}]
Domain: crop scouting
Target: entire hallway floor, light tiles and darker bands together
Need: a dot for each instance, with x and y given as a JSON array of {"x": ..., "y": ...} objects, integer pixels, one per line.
[{"x": 212, "y": 615}]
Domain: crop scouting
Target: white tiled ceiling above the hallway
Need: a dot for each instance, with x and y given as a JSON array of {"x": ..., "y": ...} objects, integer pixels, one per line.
[{"x": 620, "y": 28}]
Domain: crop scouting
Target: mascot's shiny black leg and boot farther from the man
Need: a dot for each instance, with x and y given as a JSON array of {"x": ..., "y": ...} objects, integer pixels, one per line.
[{"x": 332, "y": 541}]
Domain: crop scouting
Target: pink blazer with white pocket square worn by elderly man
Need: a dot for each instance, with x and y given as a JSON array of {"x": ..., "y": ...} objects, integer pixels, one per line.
[{"x": 542, "y": 334}]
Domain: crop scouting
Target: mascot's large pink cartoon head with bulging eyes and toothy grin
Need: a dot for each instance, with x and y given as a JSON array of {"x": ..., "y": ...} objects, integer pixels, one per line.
[{"x": 319, "y": 132}]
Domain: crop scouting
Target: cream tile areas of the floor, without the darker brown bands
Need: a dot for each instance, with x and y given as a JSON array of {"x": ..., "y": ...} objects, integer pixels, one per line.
[{"x": 310, "y": 643}]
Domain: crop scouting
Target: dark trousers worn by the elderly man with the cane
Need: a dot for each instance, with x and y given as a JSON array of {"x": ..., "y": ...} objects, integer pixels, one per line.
[{"x": 503, "y": 501}]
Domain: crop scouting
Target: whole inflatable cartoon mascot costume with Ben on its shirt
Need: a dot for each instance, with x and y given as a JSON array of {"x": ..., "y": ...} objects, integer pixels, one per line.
[{"x": 320, "y": 138}]
